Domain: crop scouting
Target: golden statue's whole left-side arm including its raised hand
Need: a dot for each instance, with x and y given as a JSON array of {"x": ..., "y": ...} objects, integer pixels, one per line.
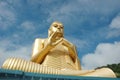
[{"x": 39, "y": 52}]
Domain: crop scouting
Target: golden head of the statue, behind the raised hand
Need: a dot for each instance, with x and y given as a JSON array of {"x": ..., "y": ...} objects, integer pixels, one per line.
[{"x": 56, "y": 26}]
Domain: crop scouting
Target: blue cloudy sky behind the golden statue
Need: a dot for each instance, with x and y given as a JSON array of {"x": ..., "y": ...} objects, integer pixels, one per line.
[{"x": 92, "y": 25}]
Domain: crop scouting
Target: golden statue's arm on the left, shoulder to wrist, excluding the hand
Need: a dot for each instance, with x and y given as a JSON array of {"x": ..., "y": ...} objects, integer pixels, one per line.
[{"x": 39, "y": 51}]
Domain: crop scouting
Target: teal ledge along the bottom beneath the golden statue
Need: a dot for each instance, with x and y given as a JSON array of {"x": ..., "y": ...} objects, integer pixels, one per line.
[{"x": 19, "y": 75}]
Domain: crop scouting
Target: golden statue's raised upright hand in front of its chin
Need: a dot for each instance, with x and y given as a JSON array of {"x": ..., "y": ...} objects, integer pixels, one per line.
[{"x": 54, "y": 39}]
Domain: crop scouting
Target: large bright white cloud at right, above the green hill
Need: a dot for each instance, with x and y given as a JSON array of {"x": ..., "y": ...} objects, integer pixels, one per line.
[{"x": 105, "y": 53}]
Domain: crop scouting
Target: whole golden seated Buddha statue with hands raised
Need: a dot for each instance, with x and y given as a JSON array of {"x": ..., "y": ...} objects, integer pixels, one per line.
[{"x": 54, "y": 55}]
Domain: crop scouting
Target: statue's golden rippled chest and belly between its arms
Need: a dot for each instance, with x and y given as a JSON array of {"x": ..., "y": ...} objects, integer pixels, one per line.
[{"x": 58, "y": 58}]
